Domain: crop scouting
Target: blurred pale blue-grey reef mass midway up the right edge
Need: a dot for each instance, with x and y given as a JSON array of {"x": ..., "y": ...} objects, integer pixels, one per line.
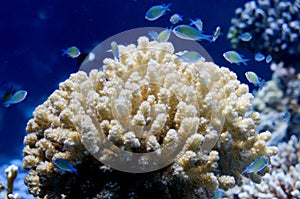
[{"x": 279, "y": 97}]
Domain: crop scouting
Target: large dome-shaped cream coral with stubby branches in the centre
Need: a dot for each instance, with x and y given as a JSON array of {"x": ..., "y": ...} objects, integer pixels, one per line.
[{"x": 149, "y": 103}]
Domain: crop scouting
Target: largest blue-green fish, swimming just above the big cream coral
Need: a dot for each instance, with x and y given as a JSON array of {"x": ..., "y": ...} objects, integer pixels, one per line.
[{"x": 189, "y": 33}]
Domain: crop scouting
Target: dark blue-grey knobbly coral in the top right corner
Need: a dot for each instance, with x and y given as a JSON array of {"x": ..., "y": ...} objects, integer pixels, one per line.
[{"x": 274, "y": 26}]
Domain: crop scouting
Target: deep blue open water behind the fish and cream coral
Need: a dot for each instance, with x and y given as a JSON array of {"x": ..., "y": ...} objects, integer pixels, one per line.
[{"x": 34, "y": 32}]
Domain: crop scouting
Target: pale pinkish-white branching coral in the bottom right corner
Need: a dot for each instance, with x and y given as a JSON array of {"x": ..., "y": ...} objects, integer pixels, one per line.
[{"x": 282, "y": 182}]
